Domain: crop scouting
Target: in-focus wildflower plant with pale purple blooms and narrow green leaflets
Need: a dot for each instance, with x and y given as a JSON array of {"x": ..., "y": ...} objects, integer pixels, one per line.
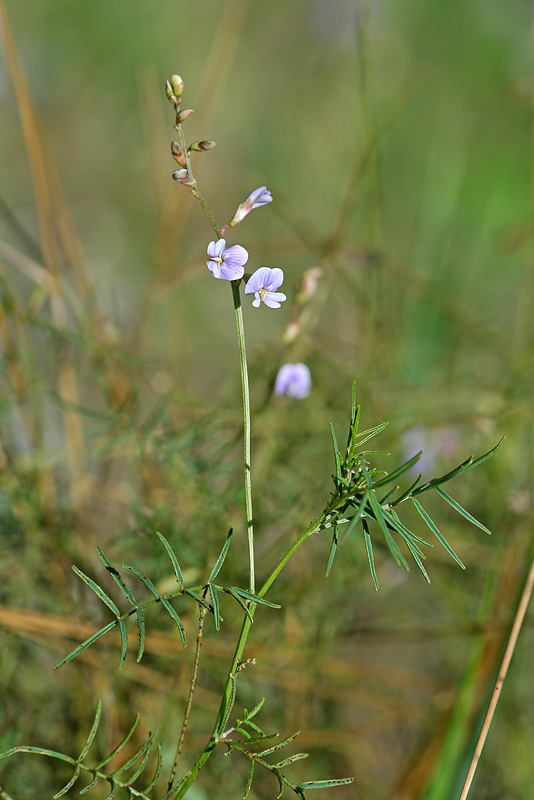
[{"x": 364, "y": 499}]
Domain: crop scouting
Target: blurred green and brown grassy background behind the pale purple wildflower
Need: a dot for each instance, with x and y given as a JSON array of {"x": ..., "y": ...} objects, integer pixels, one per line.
[{"x": 396, "y": 139}]
